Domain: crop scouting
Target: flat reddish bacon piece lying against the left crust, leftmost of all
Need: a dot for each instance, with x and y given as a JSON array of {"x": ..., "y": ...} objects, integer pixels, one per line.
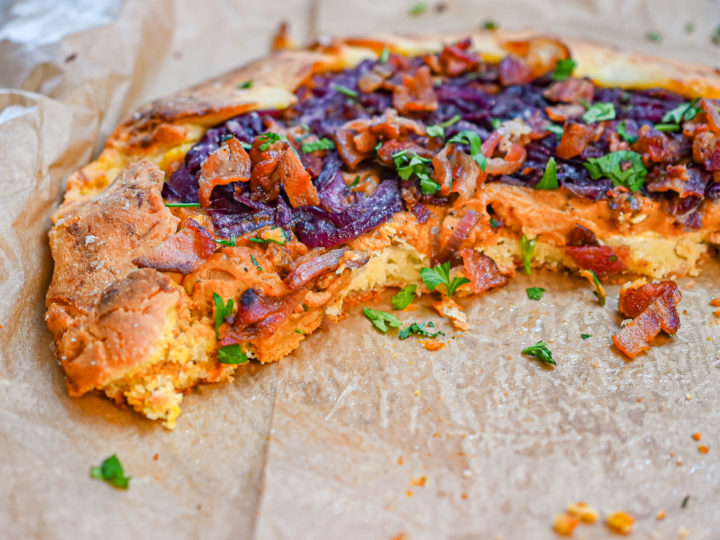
[{"x": 182, "y": 252}]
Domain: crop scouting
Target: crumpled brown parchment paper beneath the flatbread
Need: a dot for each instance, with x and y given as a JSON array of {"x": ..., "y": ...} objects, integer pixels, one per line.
[{"x": 357, "y": 434}]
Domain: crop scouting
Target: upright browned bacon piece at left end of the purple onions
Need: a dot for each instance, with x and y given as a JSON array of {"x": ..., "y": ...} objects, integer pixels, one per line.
[{"x": 229, "y": 163}]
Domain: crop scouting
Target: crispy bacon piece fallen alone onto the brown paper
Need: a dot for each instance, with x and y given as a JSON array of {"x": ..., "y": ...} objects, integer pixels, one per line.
[{"x": 653, "y": 308}]
